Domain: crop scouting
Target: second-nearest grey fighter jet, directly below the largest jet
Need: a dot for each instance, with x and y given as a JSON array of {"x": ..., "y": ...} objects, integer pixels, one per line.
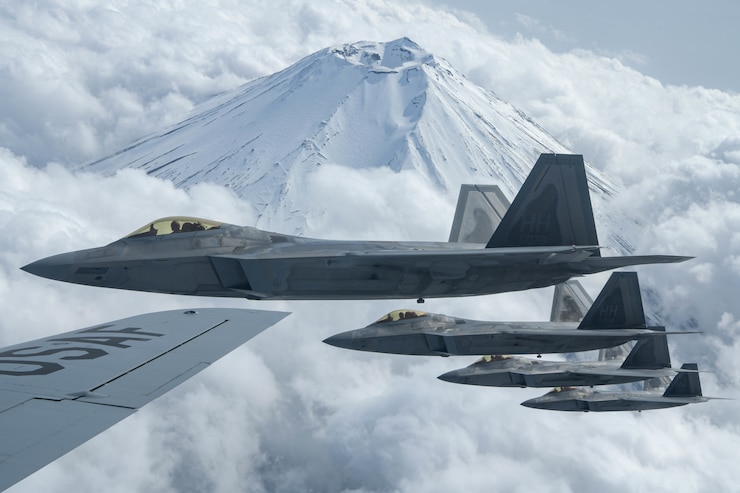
[{"x": 615, "y": 318}]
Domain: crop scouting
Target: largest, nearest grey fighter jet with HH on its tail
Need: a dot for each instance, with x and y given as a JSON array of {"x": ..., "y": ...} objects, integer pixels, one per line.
[{"x": 547, "y": 236}]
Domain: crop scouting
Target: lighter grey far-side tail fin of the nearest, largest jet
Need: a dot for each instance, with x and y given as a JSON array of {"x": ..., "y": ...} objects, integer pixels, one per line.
[{"x": 478, "y": 214}]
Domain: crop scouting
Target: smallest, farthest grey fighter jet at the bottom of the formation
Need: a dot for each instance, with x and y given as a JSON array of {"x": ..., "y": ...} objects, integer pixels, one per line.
[{"x": 684, "y": 389}]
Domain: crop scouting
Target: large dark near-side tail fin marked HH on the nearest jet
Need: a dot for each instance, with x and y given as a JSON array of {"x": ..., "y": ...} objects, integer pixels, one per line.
[{"x": 553, "y": 207}]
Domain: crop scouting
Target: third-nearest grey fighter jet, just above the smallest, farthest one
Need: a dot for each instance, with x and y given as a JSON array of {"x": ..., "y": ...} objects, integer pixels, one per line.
[{"x": 648, "y": 359}]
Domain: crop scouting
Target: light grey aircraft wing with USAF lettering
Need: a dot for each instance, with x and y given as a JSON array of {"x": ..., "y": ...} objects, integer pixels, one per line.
[{"x": 58, "y": 392}]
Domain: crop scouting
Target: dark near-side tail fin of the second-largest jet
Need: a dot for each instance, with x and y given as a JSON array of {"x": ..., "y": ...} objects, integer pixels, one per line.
[{"x": 618, "y": 306}]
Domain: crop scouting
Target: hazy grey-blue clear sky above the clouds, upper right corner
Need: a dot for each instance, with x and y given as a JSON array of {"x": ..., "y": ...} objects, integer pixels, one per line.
[{"x": 678, "y": 43}]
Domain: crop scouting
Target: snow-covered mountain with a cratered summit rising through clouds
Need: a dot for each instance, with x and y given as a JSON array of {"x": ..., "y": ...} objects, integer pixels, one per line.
[{"x": 361, "y": 105}]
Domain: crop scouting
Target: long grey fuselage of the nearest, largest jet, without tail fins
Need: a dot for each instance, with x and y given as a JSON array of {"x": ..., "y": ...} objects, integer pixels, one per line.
[{"x": 235, "y": 261}]
